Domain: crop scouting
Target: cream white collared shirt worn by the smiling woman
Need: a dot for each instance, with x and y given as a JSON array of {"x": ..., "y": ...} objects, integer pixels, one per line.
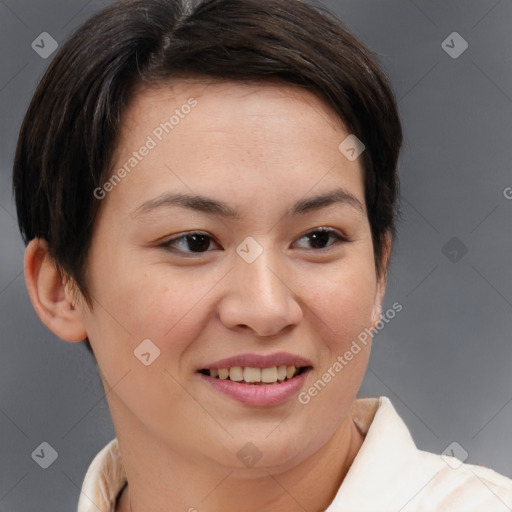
[{"x": 389, "y": 474}]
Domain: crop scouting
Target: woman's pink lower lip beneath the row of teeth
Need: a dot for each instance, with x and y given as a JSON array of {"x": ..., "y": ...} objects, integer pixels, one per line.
[{"x": 258, "y": 395}]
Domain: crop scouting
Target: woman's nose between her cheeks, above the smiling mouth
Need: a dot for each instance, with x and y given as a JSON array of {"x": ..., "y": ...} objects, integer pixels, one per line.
[{"x": 259, "y": 297}]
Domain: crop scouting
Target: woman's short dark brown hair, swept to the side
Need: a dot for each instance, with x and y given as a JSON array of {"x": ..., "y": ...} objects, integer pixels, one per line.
[{"x": 69, "y": 134}]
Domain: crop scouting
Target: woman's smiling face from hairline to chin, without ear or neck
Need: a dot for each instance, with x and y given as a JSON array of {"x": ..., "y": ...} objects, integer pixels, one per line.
[{"x": 258, "y": 273}]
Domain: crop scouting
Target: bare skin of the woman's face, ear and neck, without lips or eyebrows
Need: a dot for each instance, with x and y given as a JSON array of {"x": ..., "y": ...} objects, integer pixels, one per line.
[{"x": 259, "y": 149}]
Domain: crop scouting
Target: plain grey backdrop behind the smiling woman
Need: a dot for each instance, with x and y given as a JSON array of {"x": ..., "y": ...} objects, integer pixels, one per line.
[{"x": 444, "y": 361}]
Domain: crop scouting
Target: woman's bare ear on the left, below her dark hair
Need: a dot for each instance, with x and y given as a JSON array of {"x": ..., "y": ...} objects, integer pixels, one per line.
[{"x": 51, "y": 298}]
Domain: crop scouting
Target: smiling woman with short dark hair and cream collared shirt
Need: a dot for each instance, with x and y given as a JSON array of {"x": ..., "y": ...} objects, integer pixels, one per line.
[{"x": 208, "y": 194}]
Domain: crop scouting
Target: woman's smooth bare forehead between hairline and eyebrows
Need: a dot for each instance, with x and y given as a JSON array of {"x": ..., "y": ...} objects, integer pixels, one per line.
[{"x": 229, "y": 137}]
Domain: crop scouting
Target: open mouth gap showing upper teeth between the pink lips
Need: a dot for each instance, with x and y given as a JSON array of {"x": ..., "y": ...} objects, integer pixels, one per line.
[{"x": 256, "y": 376}]
